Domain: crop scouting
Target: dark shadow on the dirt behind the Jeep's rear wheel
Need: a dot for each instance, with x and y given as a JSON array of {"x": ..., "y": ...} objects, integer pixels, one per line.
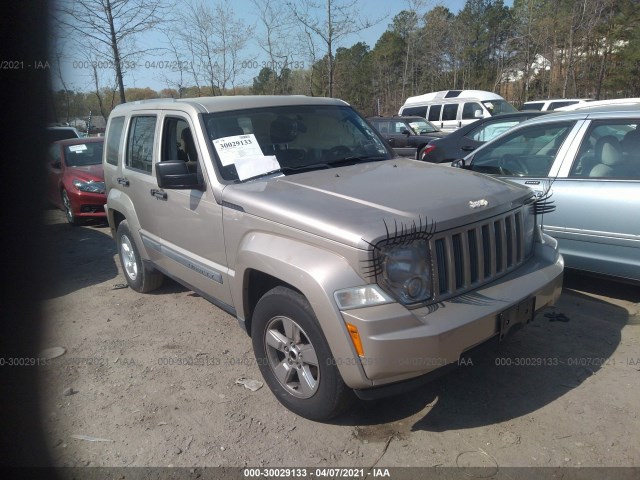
[{"x": 77, "y": 257}]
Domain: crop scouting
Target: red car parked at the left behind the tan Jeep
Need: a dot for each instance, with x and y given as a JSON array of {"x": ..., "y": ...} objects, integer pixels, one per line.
[{"x": 76, "y": 178}]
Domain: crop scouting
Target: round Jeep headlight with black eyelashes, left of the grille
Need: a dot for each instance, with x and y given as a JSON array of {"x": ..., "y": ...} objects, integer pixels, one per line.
[{"x": 406, "y": 271}]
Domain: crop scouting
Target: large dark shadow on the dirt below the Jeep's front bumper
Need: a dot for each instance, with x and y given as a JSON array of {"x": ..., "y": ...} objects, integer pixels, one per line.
[{"x": 564, "y": 346}]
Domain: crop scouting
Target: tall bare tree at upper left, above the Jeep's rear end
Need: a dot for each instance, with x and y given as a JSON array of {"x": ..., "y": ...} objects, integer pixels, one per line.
[{"x": 113, "y": 26}]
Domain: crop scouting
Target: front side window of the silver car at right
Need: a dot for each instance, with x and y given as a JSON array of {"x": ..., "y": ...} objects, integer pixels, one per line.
[{"x": 529, "y": 152}]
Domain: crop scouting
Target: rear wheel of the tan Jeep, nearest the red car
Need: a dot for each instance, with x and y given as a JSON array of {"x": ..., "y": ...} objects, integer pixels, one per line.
[{"x": 139, "y": 276}]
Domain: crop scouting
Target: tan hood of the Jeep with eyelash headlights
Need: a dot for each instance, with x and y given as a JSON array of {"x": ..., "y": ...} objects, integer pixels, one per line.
[{"x": 352, "y": 204}]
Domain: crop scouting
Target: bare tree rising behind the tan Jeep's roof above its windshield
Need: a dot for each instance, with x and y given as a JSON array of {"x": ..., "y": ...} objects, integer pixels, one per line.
[{"x": 331, "y": 23}]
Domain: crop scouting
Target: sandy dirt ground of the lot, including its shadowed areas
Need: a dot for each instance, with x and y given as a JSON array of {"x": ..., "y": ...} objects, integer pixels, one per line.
[{"x": 154, "y": 377}]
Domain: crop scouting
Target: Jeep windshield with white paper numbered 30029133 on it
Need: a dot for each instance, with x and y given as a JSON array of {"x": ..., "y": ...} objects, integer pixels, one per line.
[{"x": 251, "y": 143}]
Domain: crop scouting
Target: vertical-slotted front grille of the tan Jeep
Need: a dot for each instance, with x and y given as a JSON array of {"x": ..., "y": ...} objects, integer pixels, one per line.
[{"x": 476, "y": 254}]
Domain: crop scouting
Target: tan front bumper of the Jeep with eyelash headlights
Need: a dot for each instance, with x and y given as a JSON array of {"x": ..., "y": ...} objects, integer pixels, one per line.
[{"x": 401, "y": 344}]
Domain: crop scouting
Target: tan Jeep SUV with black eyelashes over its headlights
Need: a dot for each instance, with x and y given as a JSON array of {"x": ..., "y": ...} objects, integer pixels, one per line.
[{"x": 351, "y": 269}]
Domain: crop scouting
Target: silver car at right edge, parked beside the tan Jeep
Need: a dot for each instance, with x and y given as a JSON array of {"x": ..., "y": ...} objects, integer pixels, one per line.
[{"x": 589, "y": 160}]
